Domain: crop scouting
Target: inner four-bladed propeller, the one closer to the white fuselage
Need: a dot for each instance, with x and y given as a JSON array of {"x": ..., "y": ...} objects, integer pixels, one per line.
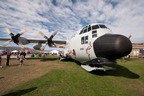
[{"x": 49, "y": 40}]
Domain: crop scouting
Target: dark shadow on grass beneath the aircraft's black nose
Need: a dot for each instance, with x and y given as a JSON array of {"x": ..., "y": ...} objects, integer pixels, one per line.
[{"x": 119, "y": 71}]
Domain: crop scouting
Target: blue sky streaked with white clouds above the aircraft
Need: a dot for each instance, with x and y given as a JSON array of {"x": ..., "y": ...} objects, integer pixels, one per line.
[{"x": 121, "y": 16}]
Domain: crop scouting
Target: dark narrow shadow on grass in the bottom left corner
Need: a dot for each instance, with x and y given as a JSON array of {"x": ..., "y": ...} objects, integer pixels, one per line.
[{"x": 21, "y": 92}]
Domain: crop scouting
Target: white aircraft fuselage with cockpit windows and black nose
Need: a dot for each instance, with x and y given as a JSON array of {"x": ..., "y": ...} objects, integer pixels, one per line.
[{"x": 97, "y": 41}]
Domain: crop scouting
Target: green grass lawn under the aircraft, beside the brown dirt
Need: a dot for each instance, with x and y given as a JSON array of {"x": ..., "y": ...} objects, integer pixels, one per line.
[{"x": 126, "y": 80}]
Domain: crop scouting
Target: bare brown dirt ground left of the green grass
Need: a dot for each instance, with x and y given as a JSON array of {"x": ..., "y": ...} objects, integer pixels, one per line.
[{"x": 14, "y": 75}]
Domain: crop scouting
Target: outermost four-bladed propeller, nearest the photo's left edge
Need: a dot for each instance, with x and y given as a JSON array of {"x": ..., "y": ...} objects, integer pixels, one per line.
[{"x": 14, "y": 38}]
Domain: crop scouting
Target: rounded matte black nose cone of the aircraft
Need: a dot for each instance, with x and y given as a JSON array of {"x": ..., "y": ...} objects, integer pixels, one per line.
[{"x": 112, "y": 46}]
